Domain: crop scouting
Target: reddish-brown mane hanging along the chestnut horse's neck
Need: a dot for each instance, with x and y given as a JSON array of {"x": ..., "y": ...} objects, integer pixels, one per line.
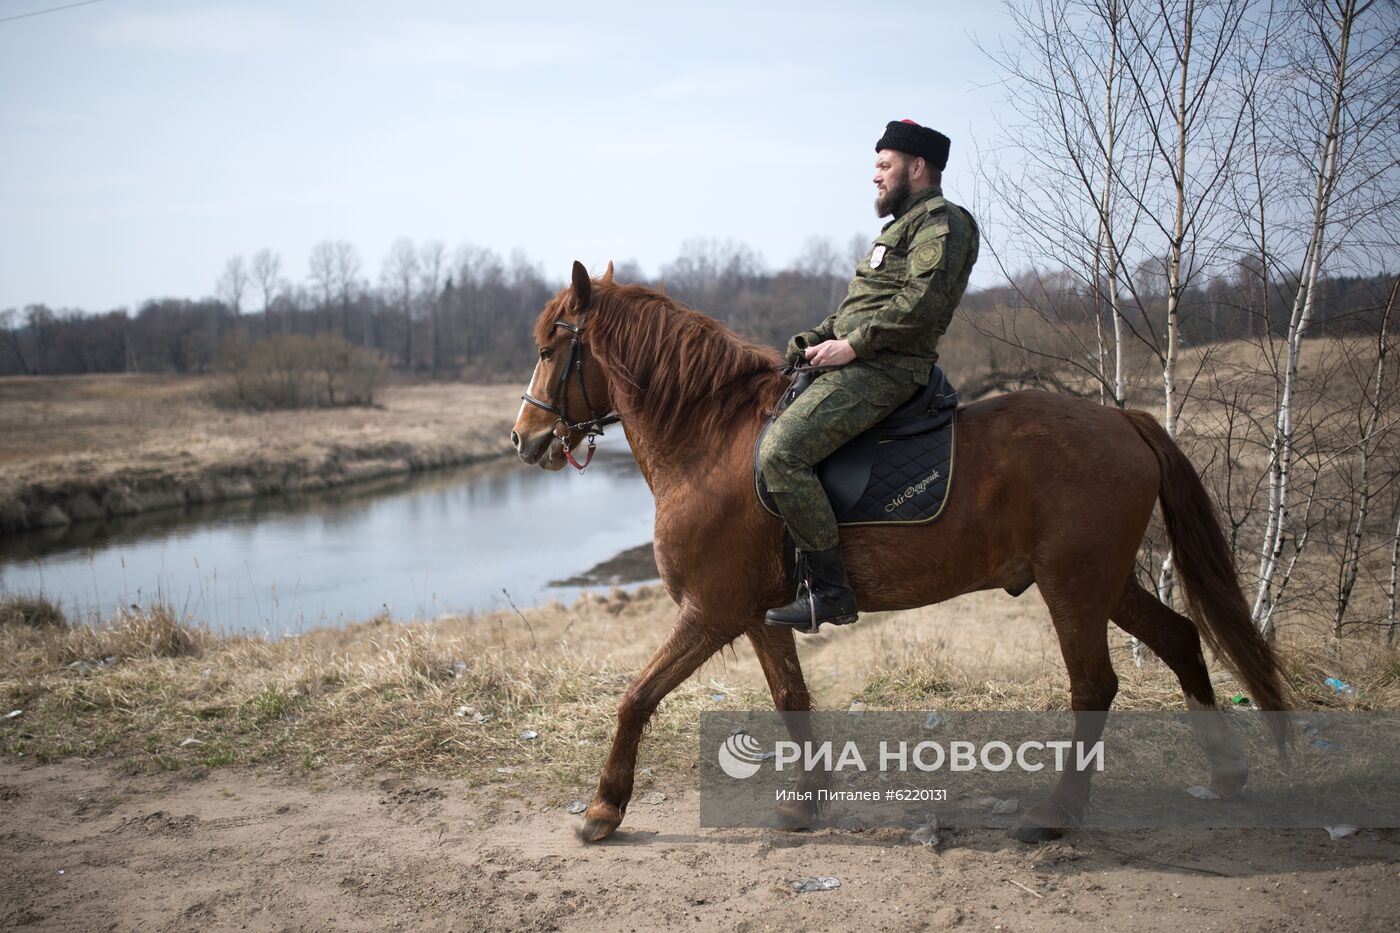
[{"x": 681, "y": 373}]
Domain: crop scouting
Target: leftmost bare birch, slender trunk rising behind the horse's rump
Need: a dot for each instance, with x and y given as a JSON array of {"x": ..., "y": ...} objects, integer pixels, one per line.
[{"x": 1069, "y": 116}]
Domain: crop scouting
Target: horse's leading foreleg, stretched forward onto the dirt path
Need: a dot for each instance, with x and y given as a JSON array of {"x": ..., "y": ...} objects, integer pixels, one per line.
[{"x": 687, "y": 648}]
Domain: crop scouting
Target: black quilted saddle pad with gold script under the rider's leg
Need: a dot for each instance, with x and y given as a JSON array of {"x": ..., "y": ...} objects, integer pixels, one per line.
[{"x": 897, "y": 473}]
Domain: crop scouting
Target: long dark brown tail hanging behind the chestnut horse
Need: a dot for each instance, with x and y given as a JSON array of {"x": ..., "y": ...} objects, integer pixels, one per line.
[{"x": 1207, "y": 571}]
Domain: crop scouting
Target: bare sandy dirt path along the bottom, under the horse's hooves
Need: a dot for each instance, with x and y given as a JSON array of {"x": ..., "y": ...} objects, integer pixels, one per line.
[{"x": 86, "y": 848}]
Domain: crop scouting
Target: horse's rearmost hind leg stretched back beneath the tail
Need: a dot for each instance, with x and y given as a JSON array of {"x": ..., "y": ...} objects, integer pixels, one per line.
[{"x": 1174, "y": 640}]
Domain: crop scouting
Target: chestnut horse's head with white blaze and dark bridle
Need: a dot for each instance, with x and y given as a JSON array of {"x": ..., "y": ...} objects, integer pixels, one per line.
[{"x": 568, "y": 397}]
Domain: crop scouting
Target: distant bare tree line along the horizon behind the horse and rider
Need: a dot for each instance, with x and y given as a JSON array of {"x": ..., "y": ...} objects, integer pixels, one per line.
[{"x": 468, "y": 315}]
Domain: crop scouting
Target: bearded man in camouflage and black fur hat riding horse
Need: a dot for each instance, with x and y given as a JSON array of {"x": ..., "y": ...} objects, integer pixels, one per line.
[{"x": 881, "y": 345}]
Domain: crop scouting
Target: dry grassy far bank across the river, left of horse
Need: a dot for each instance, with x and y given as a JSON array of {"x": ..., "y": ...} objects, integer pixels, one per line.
[{"x": 103, "y": 446}]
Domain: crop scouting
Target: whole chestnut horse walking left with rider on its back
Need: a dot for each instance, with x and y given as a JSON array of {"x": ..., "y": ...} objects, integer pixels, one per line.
[{"x": 1049, "y": 490}]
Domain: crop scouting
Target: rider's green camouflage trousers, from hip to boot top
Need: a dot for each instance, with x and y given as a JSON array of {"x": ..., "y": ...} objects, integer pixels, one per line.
[{"x": 838, "y": 407}]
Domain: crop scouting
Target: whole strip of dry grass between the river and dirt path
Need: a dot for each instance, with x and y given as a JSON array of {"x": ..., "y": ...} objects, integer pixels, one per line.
[{"x": 458, "y": 696}]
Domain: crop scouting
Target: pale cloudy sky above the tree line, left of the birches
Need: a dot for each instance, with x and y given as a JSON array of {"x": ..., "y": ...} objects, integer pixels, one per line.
[{"x": 145, "y": 142}]
